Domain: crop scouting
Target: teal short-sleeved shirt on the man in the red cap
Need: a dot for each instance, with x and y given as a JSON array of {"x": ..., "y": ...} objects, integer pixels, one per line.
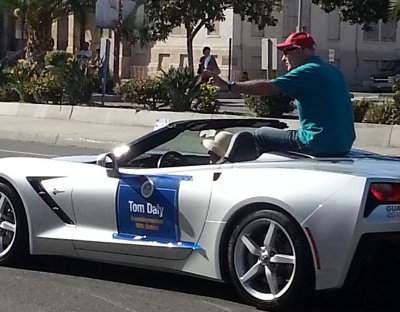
[{"x": 324, "y": 107}]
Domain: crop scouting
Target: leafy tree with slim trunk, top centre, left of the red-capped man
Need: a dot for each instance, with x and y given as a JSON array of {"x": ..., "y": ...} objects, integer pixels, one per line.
[{"x": 165, "y": 15}]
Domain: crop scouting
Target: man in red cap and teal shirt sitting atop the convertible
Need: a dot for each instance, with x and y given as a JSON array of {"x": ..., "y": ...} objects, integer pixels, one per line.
[{"x": 321, "y": 96}]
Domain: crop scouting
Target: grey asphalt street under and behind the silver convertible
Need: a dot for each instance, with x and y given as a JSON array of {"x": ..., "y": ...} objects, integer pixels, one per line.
[{"x": 47, "y": 284}]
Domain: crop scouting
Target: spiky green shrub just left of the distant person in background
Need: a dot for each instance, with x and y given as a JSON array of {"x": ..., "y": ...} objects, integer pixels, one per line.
[{"x": 180, "y": 88}]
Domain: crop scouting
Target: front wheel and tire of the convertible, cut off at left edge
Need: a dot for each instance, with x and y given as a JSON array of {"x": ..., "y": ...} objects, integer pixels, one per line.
[{"x": 18, "y": 246}]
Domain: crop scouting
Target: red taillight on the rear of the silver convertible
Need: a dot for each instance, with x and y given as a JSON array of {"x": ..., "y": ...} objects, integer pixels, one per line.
[{"x": 382, "y": 194}]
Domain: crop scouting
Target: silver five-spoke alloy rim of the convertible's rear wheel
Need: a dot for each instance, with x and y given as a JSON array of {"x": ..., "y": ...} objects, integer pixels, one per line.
[{"x": 264, "y": 259}]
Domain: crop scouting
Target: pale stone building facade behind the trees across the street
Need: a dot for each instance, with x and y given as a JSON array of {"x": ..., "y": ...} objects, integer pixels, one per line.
[{"x": 356, "y": 52}]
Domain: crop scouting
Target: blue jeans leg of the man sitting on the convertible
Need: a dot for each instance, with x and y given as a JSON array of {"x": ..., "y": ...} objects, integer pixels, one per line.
[{"x": 271, "y": 139}]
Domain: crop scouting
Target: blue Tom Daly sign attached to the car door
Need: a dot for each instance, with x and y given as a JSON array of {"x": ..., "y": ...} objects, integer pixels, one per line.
[{"x": 147, "y": 207}]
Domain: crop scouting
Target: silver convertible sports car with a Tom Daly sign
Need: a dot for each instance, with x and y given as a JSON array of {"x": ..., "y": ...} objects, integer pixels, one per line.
[{"x": 278, "y": 226}]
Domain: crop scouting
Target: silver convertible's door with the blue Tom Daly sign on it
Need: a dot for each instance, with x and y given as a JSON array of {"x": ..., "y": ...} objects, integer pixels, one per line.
[{"x": 142, "y": 212}]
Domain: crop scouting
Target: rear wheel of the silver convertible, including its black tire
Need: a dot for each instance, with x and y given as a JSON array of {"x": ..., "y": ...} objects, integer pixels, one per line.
[{"x": 293, "y": 283}]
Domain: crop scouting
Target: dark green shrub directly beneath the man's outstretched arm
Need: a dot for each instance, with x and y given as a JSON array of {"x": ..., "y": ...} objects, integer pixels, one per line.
[{"x": 269, "y": 106}]
